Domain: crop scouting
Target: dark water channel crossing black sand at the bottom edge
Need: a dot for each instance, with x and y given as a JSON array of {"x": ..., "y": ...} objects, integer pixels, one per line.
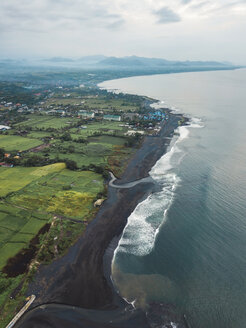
[{"x": 63, "y": 316}]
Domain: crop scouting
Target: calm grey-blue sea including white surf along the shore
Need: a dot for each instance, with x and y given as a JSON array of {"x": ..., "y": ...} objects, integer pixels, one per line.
[{"x": 185, "y": 245}]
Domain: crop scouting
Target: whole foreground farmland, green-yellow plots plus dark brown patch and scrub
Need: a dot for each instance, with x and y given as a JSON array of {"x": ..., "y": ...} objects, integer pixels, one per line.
[{"x": 40, "y": 201}]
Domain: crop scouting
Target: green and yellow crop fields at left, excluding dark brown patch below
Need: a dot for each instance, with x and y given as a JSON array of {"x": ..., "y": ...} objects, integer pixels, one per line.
[{"x": 40, "y": 194}]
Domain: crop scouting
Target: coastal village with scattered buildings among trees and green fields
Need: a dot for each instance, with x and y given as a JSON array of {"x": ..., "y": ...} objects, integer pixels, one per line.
[{"x": 78, "y": 112}]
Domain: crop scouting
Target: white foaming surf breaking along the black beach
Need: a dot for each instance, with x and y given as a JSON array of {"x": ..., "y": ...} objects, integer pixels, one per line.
[{"x": 143, "y": 224}]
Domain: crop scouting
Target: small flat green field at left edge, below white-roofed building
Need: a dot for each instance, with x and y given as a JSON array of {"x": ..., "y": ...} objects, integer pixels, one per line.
[{"x": 10, "y": 143}]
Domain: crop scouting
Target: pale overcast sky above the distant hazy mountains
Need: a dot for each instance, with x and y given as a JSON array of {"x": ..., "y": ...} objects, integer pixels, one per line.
[{"x": 170, "y": 29}]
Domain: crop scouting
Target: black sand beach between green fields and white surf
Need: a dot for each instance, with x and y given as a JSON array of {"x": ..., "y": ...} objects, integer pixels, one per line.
[{"x": 76, "y": 290}]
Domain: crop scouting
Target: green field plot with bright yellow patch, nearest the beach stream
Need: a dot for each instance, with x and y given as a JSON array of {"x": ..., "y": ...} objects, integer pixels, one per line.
[{"x": 49, "y": 194}]
